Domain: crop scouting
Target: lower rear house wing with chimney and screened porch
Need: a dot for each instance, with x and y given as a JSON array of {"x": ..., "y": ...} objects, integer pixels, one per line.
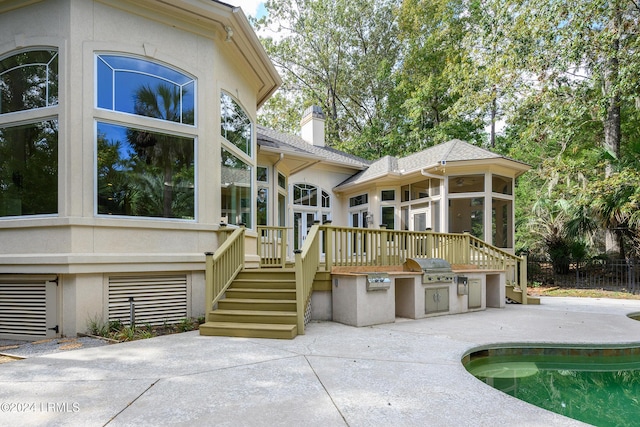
[{"x": 453, "y": 187}]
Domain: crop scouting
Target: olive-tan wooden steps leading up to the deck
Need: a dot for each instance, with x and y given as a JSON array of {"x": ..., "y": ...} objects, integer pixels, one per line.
[{"x": 260, "y": 303}]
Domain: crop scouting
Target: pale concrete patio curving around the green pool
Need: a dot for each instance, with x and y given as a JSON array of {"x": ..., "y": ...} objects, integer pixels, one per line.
[{"x": 403, "y": 374}]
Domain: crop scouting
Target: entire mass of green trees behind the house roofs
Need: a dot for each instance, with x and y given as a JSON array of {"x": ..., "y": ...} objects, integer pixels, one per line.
[{"x": 395, "y": 77}]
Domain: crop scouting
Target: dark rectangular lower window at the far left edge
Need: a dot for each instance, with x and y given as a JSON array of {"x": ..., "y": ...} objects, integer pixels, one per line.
[{"x": 29, "y": 169}]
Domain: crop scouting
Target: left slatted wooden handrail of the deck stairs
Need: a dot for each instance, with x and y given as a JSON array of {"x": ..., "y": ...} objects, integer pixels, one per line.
[{"x": 223, "y": 266}]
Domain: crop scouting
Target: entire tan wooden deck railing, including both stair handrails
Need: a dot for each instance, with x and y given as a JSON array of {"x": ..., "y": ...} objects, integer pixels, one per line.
[{"x": 347, "y": 246}]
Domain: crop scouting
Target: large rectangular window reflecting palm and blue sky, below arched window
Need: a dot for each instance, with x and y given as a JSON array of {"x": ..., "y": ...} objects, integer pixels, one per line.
[{"x": 143, "y": 173}]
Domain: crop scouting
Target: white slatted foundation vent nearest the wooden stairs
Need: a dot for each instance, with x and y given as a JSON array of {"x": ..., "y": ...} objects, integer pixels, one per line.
[{"x": 157, "y": 299}]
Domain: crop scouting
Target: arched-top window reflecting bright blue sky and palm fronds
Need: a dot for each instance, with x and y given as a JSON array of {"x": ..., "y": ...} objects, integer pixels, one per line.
[{"x": 136, "y": 86}]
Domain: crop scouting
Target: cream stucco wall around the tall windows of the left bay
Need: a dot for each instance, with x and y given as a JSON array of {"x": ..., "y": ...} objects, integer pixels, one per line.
[{"x": 78, "y": 244}]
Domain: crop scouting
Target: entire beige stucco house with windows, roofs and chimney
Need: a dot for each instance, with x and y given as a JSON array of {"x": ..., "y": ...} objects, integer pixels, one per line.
[{"x": 128, "y": 140}]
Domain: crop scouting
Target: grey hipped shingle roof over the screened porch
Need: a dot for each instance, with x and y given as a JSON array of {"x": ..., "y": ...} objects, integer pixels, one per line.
[{"x": 451, "y": 151}]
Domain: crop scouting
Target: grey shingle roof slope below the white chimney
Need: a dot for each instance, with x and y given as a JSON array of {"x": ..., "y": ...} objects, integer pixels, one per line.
[{"x": 280, "y": 140}]
